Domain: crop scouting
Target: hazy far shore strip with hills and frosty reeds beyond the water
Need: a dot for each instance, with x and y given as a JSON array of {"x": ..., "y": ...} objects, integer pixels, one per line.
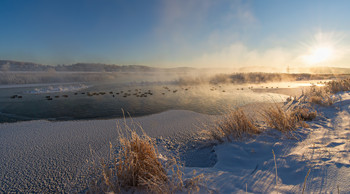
[{"x": 13, "y": 72}]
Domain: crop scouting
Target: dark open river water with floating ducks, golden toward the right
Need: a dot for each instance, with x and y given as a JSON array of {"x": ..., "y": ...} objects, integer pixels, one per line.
[{"x": 72, "y": 102}]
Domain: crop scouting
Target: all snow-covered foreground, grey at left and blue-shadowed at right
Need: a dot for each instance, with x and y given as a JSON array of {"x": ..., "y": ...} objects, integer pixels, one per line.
[{"x": 43, "y": 156}]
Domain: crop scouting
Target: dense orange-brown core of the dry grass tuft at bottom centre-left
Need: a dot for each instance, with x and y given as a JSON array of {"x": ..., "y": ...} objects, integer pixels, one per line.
[{"x": 137, "y": 163}]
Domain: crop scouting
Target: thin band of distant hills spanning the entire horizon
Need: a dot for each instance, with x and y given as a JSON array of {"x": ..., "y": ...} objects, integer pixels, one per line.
[{"x": 9, "y": 65}]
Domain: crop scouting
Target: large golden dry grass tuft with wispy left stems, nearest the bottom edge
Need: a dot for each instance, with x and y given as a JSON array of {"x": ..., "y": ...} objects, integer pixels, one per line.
[{"x": 135, "y": 166}]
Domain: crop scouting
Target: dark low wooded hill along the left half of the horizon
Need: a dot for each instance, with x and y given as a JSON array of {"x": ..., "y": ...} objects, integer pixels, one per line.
[{"x": 8, "y": 65}]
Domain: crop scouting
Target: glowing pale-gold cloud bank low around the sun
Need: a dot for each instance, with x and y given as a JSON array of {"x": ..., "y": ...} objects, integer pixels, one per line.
[{"x": 237, "y": 54}]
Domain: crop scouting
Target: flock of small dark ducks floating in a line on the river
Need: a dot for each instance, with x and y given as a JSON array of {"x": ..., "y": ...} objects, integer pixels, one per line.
[{"x": 136, "y": 92}]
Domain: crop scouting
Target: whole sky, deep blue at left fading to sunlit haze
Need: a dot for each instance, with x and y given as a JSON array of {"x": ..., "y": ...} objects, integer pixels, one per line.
[{"x": 173, "y": 33}]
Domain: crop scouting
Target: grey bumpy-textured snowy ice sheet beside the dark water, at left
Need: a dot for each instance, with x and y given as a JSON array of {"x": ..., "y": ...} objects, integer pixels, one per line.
[{"x": 43, "y": 156}]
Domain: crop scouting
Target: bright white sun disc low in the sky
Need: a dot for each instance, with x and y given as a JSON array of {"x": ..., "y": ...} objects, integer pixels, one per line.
[{"x": 319, "y": 54}]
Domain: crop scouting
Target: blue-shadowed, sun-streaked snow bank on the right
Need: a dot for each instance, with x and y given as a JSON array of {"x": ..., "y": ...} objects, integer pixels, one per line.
[{"x": 324, "y": 149}]
